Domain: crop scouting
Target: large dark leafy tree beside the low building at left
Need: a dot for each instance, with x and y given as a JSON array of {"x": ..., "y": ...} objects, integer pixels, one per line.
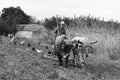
[{"x": 11, "y": 17}]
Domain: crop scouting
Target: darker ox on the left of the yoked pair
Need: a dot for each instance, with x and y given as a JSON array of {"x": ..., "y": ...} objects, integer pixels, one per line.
[{"x": 62, "y": 48}]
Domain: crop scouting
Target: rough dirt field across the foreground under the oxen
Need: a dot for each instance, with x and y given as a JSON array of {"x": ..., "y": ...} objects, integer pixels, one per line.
[{"x": 17, "y": 64}]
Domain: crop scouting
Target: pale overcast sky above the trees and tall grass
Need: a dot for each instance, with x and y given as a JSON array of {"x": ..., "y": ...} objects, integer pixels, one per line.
[{"x": 107, "y": 9}]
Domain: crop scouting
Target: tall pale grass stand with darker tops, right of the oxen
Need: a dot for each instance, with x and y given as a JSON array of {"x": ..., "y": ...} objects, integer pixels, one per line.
[{"x": 105, "y": 32}]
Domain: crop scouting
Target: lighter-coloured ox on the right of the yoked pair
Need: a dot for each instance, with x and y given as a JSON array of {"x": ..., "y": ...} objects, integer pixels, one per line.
[{"x": 81, "y": 50}]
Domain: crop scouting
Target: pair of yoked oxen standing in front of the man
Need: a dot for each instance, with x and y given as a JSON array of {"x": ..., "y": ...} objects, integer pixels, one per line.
[{"x": 64, "y": 46}]
